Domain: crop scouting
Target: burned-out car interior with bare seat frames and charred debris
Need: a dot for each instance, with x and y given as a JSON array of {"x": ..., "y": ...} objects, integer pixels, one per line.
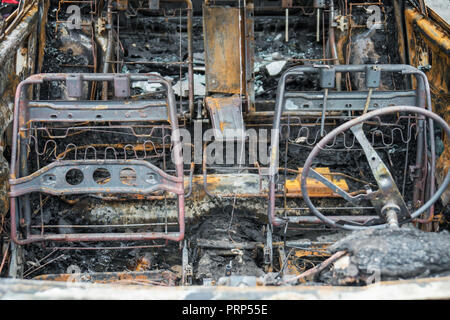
[{"x": 228, "y": 143}]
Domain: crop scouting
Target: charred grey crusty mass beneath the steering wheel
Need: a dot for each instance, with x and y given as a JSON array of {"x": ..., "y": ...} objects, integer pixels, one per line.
[{"x": 387, "y": 254}]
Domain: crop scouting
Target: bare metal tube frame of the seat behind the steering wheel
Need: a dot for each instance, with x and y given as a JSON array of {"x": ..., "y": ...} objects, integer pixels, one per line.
[{"x": 423, "y": 100}]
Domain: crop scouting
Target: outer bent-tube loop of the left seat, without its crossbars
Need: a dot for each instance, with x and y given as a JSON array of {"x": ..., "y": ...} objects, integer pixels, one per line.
[{"x": 176, "y": 182}]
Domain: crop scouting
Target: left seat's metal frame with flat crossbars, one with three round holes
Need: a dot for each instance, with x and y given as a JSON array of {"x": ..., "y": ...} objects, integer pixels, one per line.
[{"x": 110, "y": 111}]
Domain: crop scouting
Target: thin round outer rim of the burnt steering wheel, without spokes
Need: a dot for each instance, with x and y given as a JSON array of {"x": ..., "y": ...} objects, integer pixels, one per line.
[{"x": 346, "y": 126}]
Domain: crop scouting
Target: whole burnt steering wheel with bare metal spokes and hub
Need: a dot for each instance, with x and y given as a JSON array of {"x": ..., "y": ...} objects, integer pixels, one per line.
[{"x": 387, "y": 200}]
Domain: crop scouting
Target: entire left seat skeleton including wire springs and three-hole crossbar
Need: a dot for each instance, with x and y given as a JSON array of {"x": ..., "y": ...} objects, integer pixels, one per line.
[{"x": 71, "y": 173}]
